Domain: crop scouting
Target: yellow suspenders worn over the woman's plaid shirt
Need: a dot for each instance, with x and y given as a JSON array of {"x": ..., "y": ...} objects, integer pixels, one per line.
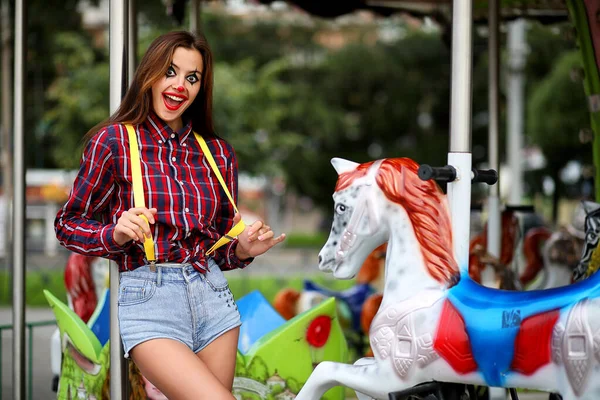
[{"x": 138, "y": 192}]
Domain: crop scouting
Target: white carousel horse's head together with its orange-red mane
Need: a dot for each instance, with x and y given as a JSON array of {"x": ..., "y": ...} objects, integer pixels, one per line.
[{"x": 382, "y": 200}]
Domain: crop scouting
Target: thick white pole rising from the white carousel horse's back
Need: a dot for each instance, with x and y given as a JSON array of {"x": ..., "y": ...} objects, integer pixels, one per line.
[{"x": 459, "y": 191}]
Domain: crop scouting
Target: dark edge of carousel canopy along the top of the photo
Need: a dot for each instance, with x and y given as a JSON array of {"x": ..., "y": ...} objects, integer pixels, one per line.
[{"x": 543, "y": 10}]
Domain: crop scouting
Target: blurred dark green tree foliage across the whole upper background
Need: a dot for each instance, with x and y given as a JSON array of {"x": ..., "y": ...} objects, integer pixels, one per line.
[{"x": 288, "y": 105}]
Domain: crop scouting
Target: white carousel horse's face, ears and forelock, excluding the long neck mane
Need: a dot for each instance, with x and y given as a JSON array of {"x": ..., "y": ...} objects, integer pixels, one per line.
[{"x": 357, "y": 228}]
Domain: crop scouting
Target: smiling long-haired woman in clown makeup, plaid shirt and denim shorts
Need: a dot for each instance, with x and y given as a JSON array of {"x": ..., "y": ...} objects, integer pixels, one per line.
[{"x": 178, "y": 320}]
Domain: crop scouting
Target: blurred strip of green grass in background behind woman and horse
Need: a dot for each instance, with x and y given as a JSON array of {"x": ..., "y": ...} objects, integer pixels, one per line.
[{"x": 53, "y": 280}]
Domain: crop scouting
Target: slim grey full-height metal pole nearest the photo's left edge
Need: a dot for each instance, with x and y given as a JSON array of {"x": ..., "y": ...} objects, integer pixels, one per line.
[{"x": 18, "y": 251}]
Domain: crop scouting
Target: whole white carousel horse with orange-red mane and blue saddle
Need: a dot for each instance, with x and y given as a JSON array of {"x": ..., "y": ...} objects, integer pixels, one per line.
[{"x": 435, "y": 323}]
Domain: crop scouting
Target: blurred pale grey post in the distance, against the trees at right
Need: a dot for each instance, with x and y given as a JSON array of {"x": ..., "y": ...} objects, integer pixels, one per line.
[{"x": 515, "y": 116}]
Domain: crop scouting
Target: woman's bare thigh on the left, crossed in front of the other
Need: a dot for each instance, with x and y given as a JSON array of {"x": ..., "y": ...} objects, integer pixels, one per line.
[{"x": 177, "y": 372}]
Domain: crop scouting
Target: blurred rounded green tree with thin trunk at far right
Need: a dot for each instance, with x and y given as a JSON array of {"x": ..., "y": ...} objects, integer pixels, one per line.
[{"x": 557, "y": 114}]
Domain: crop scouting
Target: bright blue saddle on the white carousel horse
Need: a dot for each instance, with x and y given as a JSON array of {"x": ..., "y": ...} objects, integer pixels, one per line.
[{"x": 493, "y": 317}]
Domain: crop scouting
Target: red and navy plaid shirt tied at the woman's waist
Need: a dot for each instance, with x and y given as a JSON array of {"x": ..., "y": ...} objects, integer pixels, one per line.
[{"x": 193, "y": 210}]
